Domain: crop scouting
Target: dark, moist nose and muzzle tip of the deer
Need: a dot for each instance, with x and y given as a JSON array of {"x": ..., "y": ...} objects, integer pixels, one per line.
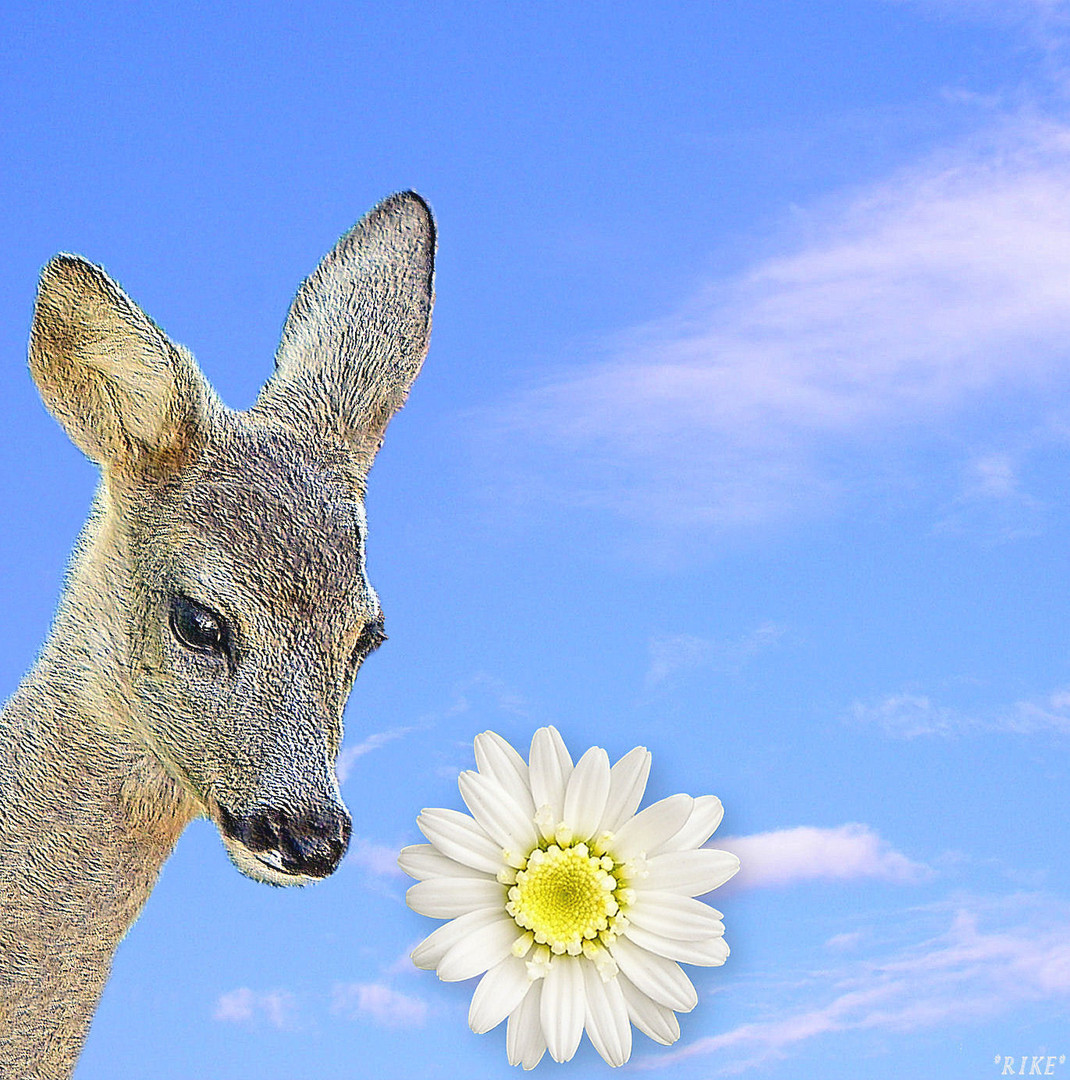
[{"x": 310, "y": 843}]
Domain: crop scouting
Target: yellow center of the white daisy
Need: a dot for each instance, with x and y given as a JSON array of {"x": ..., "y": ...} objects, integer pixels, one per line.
[{"x": 566, "y": 897}]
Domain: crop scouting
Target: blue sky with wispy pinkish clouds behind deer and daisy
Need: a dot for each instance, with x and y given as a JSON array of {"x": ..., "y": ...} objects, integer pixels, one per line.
[{"x": 743, "y": 437}]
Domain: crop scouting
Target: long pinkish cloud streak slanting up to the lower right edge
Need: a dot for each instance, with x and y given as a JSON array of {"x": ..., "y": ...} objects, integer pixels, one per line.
[{"x": 993, "y": 958}]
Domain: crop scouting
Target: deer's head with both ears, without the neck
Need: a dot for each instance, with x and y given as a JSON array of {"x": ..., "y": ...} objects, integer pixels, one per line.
[{"x": 220, "y": 595}]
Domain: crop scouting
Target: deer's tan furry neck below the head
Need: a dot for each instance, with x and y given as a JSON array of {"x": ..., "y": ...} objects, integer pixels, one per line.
[{"x": 88, "y": 817}]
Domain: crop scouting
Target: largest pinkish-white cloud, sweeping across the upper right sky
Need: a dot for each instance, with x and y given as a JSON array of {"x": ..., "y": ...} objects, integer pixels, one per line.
[{"x": 929, "y": 295}]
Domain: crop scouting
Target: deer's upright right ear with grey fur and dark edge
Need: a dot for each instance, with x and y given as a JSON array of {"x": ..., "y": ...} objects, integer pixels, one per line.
[{"x": 359, "y": 330}]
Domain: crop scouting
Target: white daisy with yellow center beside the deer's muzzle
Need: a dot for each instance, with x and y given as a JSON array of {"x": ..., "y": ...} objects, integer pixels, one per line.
[{"x": 574, "y": 908}]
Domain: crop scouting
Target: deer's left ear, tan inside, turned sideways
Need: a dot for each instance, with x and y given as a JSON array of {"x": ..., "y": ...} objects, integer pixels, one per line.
[{"x": 107, "y": 373}]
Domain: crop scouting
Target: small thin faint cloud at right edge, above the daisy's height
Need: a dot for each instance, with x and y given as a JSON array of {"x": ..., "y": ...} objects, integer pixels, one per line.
[{"x": 910, "y": 715}]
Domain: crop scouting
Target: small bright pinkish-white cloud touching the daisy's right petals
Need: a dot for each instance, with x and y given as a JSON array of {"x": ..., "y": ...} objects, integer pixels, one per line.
[{"x": 806, "y": 854}]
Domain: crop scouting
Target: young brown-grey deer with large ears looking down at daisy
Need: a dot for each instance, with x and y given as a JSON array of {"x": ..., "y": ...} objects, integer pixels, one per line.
[{"x": 216, "y": 611}]
